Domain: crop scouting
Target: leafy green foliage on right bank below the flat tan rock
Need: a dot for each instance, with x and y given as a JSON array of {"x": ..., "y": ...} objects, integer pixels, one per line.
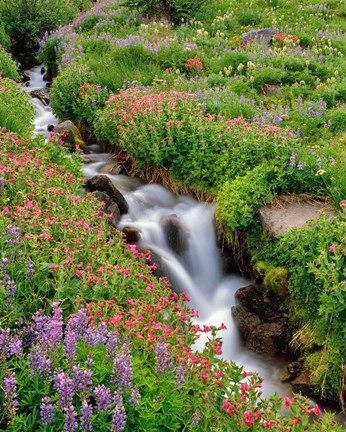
[{"x": 315, "y": 257}]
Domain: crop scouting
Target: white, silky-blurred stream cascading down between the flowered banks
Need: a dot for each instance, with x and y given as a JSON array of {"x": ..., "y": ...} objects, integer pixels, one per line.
[{"x": 197, "y": 270}]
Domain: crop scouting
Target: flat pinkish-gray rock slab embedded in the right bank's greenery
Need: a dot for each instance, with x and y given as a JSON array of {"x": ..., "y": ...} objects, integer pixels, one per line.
[{"x": 288, "y": 213}]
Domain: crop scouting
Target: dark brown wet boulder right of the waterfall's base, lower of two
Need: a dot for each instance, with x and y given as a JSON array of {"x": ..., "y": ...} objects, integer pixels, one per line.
[{"x": 267, "y": 338}]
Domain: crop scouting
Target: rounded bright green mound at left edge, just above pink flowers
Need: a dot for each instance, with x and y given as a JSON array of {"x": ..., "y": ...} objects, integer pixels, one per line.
[{"x": 16, "y": 110}]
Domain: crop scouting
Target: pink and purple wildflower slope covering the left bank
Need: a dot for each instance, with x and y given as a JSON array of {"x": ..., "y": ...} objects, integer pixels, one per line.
[{"x": 89, "y": 339}]
